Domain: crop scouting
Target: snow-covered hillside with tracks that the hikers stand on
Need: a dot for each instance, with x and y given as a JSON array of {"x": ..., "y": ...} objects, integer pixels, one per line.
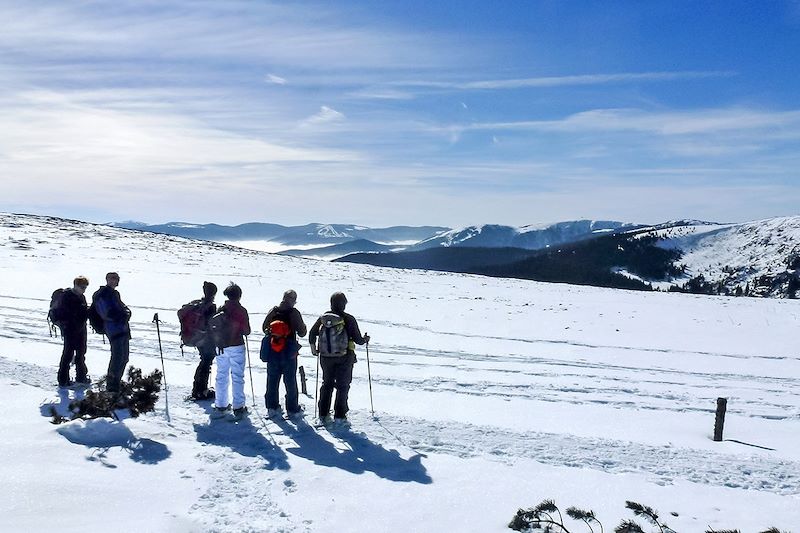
[{"x": 489, "y": 394}]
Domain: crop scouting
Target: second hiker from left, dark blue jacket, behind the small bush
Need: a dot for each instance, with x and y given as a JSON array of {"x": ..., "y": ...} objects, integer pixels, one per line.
[{"x": 116, "y": 317}]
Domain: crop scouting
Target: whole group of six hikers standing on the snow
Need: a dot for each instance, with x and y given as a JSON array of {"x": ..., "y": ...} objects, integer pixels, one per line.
[{"x": 218, "y": 334}]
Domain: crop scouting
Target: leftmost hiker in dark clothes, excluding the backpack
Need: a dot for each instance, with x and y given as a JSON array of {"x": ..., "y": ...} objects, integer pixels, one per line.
[{"x": 73, "y": 313}]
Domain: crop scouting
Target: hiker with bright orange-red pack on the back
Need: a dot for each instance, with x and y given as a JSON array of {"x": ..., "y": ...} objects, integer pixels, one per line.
[{"x": 283, "y": 364}]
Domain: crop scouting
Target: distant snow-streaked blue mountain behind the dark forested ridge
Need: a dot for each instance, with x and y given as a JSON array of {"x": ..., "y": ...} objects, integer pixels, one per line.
[{"x": 532, "y": 237}]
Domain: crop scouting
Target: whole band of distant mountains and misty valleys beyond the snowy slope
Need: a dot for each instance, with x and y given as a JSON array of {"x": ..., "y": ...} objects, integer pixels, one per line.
[{"x": 755, "y": 258}]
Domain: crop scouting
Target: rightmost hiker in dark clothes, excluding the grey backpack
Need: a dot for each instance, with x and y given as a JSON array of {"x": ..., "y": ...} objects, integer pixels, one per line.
[{"x": 337, "y": 372}]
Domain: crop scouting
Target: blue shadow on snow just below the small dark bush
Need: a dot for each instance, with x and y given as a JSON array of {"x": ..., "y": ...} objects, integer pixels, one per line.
[{"x": 101, "y": 435}]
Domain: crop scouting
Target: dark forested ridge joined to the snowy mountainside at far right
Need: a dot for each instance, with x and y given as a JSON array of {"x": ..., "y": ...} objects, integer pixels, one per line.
[{"x": 760, "y": 258}]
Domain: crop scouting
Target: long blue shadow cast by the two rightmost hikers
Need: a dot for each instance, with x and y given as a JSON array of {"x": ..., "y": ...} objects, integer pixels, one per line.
[{"x": 357, "y": 454}]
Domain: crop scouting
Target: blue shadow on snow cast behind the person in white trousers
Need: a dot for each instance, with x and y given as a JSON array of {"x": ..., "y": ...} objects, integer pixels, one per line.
[{"x": 243, "y": 438}]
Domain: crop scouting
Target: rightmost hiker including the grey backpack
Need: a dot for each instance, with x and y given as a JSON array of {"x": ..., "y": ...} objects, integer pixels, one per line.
[{"x": 333, "y": 338}]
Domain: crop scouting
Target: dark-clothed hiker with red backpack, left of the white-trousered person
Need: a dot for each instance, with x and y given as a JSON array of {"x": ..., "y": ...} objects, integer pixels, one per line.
[{"x": 195, "y": 331}]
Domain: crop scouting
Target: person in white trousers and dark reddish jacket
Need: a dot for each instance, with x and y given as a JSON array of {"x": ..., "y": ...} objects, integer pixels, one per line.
[{"x": 229, "y": 328}]
